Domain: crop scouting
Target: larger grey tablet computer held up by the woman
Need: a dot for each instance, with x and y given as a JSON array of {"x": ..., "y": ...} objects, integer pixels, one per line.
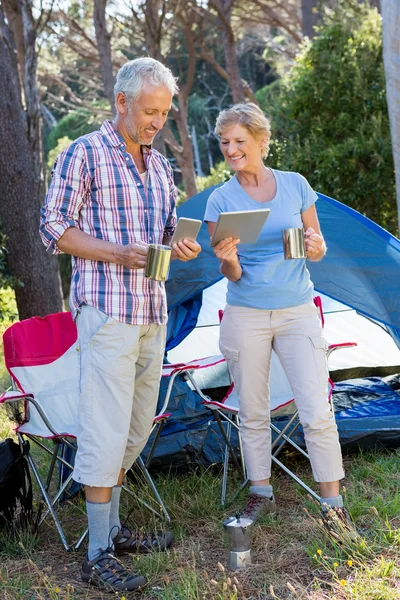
[{"x": 243, "y": 224}]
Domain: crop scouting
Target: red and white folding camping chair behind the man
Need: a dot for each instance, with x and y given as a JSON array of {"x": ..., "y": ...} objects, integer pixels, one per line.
[{"x": 42, "y": 357}]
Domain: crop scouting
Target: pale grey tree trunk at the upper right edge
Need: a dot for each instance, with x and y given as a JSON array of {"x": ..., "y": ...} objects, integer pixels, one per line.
[{"x": 391, "y": 57}]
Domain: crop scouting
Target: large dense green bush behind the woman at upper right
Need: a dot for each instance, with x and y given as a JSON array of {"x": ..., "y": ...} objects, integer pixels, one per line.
[{"x": 329, "y": 115}]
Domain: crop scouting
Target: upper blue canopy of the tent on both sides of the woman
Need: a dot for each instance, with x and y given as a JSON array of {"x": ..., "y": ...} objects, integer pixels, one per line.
[{"x": 361, "y": 268}]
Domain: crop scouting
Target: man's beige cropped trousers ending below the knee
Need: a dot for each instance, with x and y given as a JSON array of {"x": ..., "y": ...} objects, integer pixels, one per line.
[{"x": 120, "y": 376}]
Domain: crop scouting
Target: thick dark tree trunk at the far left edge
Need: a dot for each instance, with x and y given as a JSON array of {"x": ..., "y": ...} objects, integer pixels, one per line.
[{"x": 39, "y": 292}]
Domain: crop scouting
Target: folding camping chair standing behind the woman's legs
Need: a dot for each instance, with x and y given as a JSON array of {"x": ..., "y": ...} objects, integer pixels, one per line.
[{"x": 283, "y": 405}]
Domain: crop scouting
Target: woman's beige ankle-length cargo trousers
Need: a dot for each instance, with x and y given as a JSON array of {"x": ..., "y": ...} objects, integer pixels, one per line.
[{"x": 246, "y": 340}]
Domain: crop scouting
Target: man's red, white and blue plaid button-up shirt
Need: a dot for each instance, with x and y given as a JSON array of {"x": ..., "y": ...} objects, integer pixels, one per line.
[{"x": 96, "y": 187}]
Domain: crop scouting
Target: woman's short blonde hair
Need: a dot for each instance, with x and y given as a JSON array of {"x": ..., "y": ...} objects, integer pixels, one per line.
[{"x": 247, "y": 115}]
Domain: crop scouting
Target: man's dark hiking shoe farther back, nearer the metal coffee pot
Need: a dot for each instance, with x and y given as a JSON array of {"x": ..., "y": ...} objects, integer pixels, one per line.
[{"x": 138, "y": 541}]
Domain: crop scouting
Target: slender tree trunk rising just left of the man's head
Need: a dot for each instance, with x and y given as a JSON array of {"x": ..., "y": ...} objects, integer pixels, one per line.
[{"x": 103, "y": 40}]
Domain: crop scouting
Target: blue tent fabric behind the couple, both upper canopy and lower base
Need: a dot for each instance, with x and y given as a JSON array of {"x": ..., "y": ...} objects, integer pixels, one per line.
[{"x": 361, "y": 270}]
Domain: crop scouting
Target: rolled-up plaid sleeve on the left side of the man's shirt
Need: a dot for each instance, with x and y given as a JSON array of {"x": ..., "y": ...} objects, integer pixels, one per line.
[{"x": 68, "y": 189}]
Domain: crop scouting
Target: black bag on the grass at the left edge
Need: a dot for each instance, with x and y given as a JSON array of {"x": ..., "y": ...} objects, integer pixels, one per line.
[{"x": 15, "y": 485}]
